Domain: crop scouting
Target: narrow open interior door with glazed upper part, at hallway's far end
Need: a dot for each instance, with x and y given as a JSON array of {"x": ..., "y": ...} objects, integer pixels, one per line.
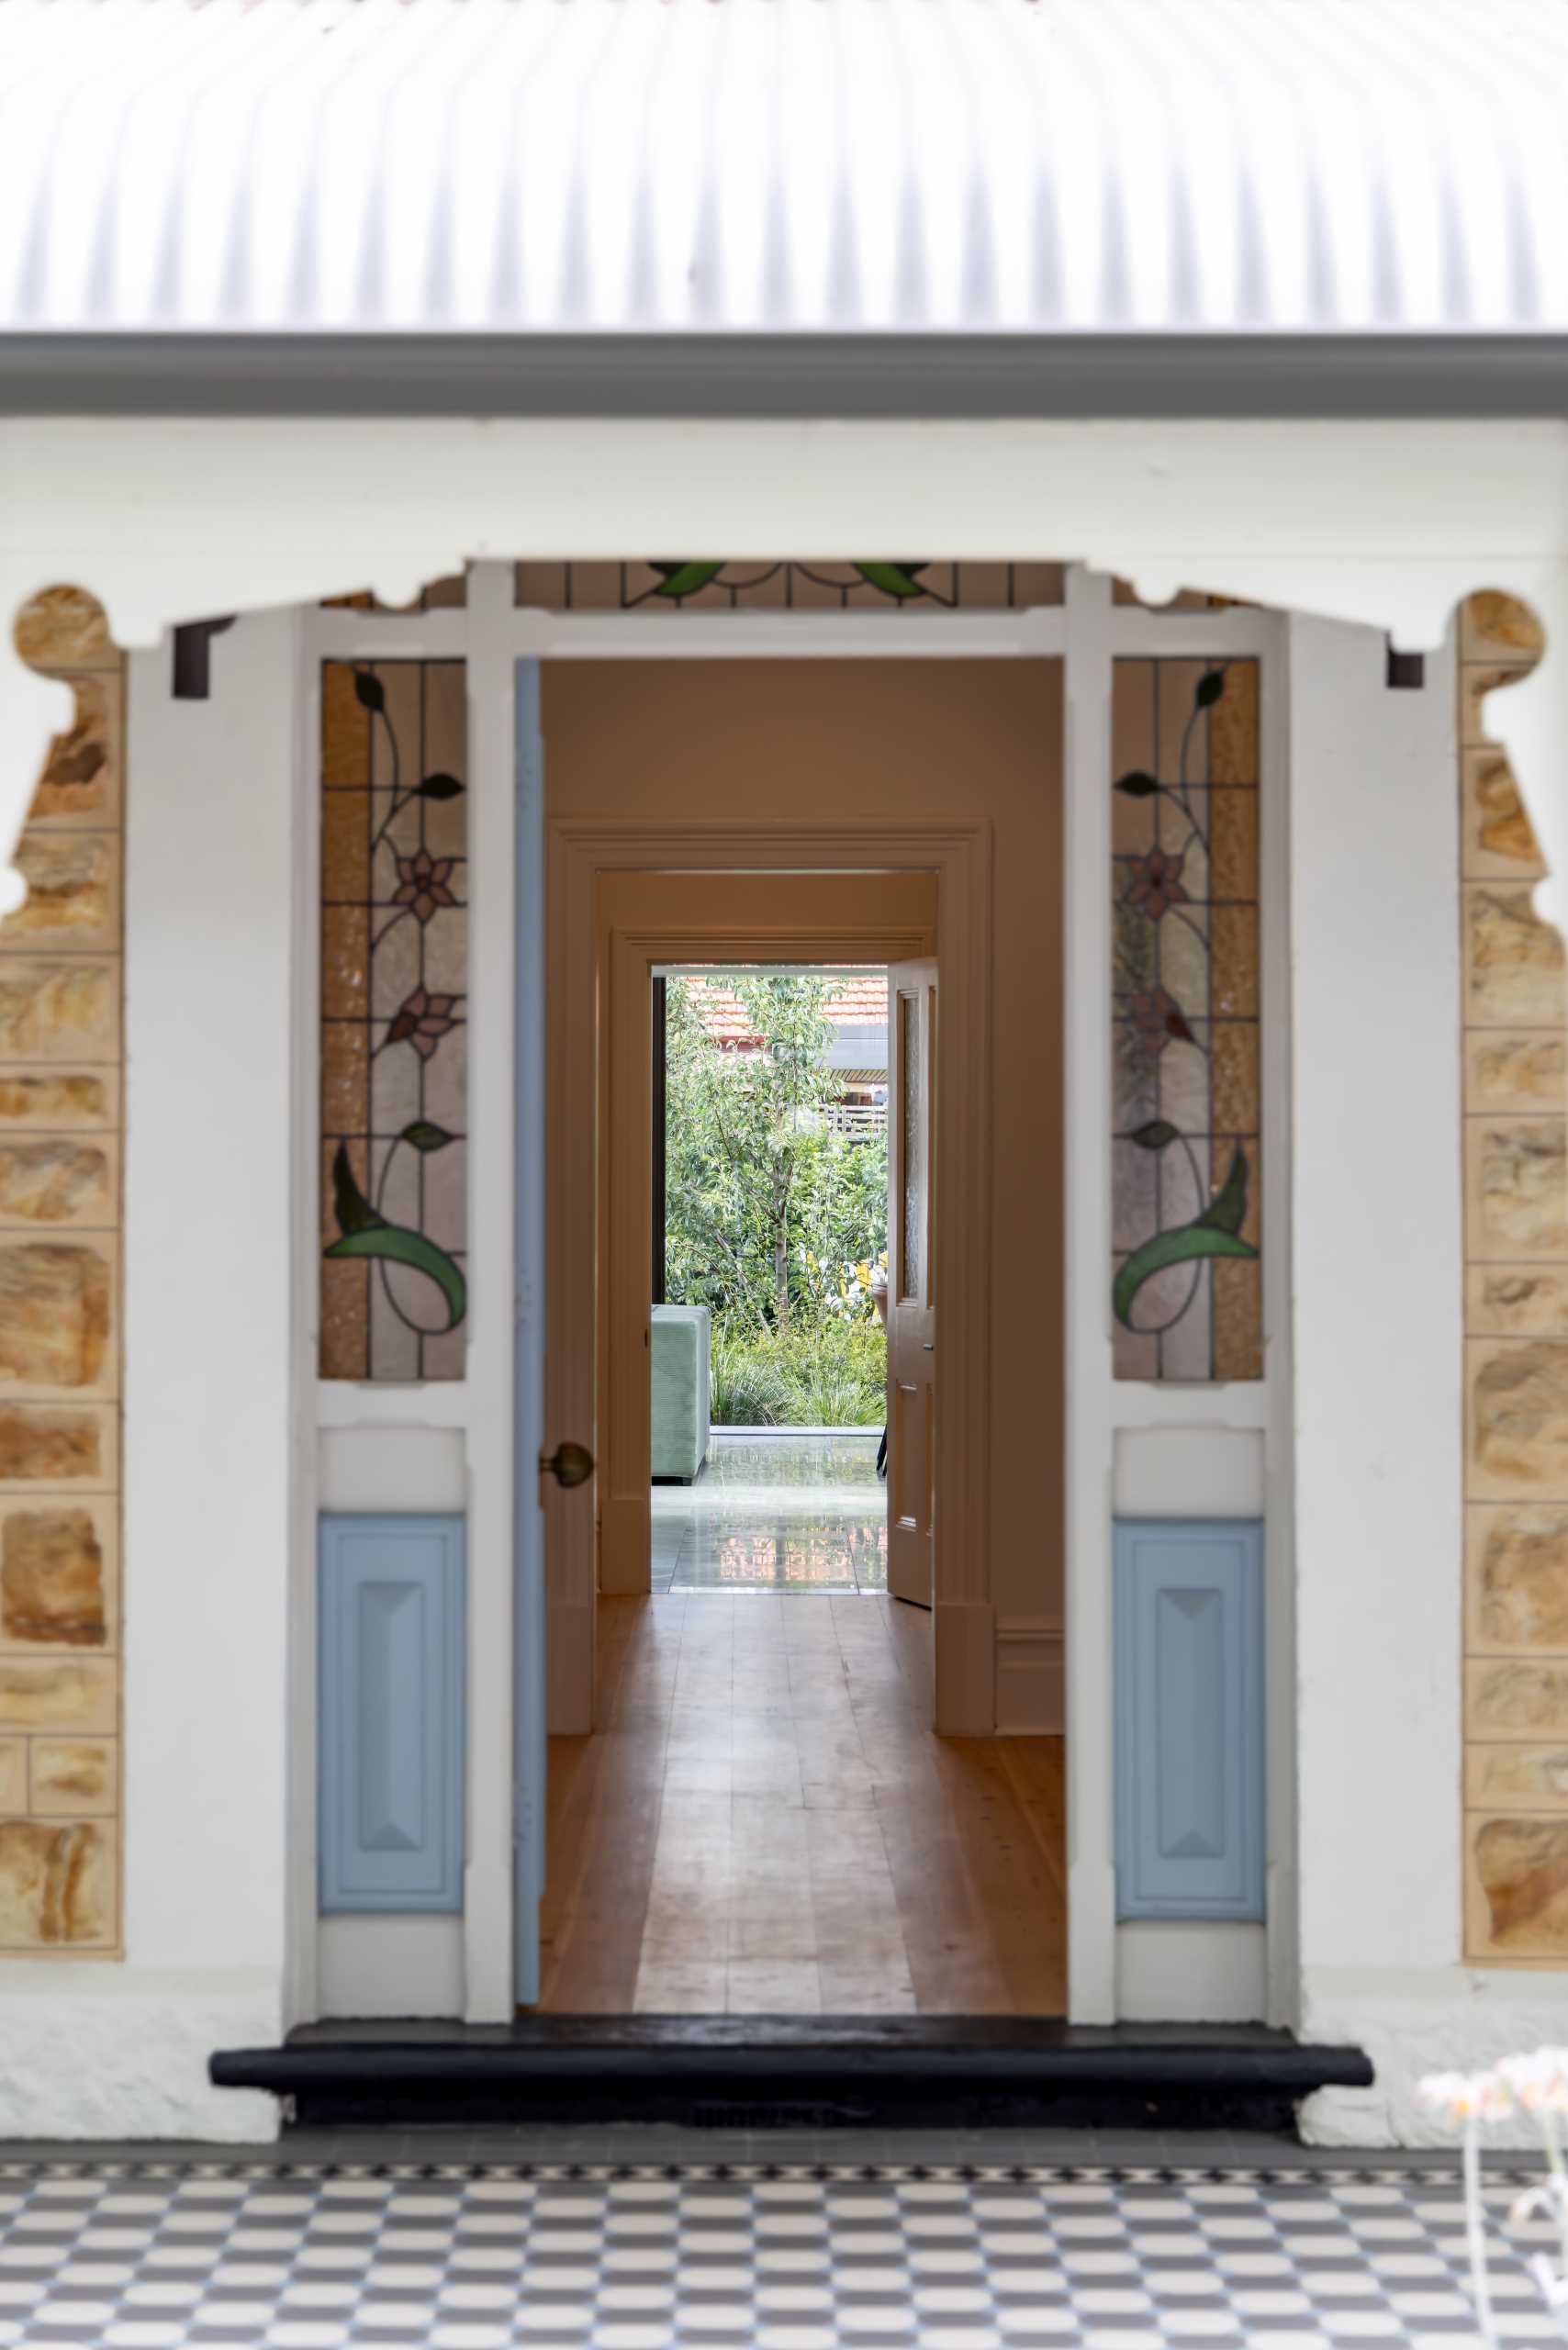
[{"x": 911, "y": 1282}]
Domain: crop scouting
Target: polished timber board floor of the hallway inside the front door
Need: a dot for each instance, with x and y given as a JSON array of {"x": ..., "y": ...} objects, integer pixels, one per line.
[{"x": 765, "y": 1825}]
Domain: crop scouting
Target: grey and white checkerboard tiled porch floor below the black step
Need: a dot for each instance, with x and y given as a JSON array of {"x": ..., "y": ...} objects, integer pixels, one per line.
[{"x": 728, "y": 2257}]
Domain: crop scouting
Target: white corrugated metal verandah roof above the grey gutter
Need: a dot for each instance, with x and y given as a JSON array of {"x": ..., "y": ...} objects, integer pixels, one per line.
[{"x": 784, "y": 166}]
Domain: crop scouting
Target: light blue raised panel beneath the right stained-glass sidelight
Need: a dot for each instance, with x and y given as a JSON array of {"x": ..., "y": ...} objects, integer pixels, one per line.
[{"x": 1191, "y": 1813}]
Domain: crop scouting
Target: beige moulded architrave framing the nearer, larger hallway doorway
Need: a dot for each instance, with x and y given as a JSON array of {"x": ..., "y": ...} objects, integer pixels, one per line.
[{"x": 960, "y": 857}]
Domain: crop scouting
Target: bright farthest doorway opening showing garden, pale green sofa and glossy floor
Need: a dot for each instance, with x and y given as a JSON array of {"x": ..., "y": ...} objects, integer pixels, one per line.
[{"x": 770, "y": 1218}]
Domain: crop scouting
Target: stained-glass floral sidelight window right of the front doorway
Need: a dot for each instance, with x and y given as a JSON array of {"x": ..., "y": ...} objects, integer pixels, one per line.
[{"x": 1186, "y": 1082}]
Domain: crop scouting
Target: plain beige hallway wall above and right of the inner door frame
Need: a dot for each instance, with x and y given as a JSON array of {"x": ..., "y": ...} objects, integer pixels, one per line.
[{"x": 894, "y": 739}]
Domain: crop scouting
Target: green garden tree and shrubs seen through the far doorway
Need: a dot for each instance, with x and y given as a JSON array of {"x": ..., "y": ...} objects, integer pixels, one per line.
[{"x": 772, "y": 1218}]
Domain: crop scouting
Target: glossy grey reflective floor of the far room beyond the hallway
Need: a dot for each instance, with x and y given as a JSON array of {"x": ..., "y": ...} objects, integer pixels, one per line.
[{"x": 777, "y": 1515}]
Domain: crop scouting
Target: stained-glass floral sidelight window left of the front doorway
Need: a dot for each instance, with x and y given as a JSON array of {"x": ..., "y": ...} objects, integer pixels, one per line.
[{"x": 394, "y": 1021}]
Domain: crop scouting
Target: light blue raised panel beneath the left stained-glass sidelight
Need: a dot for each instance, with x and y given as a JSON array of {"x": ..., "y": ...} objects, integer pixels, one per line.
[{"x": 391, "y": 1714}]
